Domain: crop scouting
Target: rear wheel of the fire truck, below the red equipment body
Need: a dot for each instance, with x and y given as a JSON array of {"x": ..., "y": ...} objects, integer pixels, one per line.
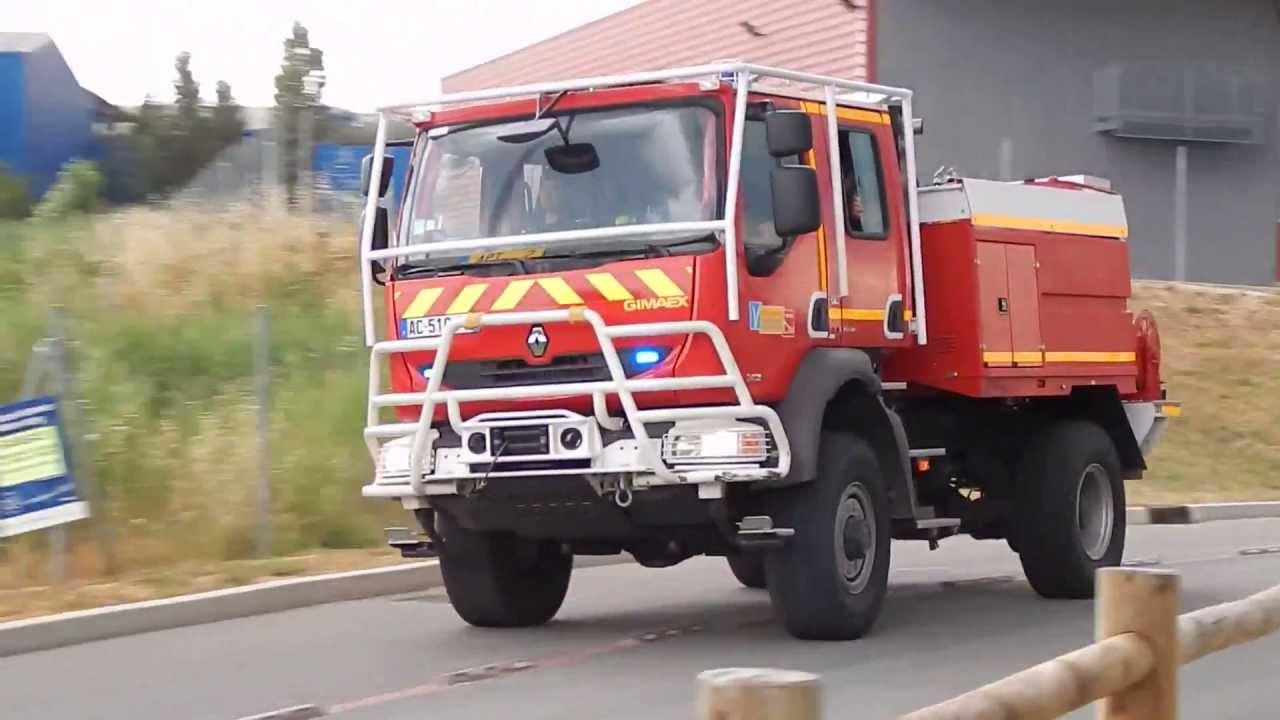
[{"x": 1071, "y": 509}]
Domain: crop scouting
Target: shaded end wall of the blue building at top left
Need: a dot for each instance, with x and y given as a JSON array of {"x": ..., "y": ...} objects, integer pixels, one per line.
[{"x": 60, "y": 117}]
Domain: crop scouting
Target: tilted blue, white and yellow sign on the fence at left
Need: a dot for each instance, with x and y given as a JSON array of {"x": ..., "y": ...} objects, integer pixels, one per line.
[{"x": 36, "y": 485}]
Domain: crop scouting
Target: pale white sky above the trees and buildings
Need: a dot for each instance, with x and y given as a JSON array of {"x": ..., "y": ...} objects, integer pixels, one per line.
[{"x": 125, "y": 49}]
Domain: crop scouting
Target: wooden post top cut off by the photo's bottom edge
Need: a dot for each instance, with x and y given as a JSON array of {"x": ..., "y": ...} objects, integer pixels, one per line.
[{"x": 747, "y": 694}]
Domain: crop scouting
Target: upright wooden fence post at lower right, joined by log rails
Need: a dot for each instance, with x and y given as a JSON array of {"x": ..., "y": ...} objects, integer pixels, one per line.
[{"x": 1144, "y": 603}]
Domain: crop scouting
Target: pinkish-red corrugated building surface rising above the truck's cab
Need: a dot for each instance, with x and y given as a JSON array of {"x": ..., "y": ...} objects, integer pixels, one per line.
[{"x": 825, "y": 37}]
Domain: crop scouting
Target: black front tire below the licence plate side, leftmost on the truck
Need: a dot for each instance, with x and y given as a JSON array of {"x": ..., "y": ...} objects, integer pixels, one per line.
[{"x": 501, "y": 581}]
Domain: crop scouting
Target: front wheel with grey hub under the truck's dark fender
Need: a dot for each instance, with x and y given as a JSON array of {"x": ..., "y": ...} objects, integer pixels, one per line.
[{"x": 817, "y": 585}]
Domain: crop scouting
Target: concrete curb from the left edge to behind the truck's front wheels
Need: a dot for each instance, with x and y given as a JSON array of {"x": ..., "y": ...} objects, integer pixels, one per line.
[{"x": 117, "y": 621}]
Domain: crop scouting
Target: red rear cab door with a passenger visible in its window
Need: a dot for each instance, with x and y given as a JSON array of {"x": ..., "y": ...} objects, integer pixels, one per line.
[{"x": 876, "y": 312}]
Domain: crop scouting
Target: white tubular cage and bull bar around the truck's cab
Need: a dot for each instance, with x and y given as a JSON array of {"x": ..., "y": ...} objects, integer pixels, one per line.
[{"x": 742, "y": 75}]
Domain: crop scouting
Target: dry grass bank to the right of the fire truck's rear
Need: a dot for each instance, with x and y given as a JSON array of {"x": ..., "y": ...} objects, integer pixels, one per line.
[{"x": 1222, "y": 359}]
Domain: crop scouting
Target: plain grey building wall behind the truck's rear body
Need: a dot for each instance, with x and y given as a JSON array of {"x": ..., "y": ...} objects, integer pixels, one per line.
[{"x": 1008, "y": 85}]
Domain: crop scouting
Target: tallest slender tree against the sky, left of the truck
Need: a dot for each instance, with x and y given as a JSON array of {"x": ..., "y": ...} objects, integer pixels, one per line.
[{"x": 298, "y": 102}]
